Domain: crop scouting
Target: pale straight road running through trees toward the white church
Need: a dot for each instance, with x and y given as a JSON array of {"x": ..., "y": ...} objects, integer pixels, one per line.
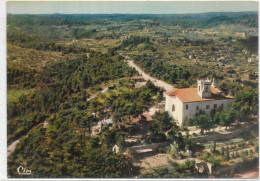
[{"x": 146, "y": 76}]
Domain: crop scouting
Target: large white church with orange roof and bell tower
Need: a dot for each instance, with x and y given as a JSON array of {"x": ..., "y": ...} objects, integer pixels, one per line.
[{"x": 186, "y": 103}]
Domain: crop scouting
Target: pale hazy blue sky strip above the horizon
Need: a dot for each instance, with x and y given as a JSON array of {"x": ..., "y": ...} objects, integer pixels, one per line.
[{"x": 129, "y": 7}]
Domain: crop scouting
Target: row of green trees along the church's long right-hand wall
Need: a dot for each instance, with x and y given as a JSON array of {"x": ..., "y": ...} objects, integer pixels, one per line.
[{"x": 239, "y": 111}]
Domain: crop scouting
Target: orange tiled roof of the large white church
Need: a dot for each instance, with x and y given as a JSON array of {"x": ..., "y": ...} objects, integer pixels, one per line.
[{"x": 191, "y": 95}]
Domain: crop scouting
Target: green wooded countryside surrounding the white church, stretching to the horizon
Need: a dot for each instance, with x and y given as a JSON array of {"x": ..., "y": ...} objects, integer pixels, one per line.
[{"x": 58, "y": 69}]
